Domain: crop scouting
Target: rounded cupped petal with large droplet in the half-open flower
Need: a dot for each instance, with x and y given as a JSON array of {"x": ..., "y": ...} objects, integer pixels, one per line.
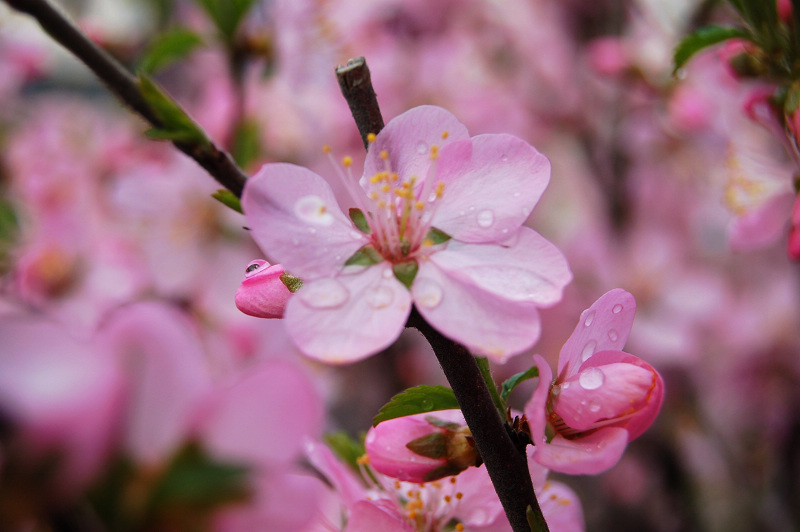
[{"x": 604, "y": 392}]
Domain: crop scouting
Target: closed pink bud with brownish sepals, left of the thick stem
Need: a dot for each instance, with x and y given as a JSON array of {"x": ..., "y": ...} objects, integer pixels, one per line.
[{"x": 422, "y": 447}]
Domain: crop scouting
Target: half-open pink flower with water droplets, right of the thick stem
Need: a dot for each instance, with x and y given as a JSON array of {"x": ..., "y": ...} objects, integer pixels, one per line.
[{"x": 602, "y": 397}]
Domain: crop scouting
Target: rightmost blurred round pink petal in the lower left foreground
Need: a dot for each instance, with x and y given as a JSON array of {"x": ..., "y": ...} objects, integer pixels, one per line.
[{"x": 263, "y": 418}]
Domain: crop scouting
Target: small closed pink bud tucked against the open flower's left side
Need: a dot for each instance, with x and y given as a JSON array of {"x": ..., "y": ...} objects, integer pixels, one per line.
[{"x": 262, "y": 293}]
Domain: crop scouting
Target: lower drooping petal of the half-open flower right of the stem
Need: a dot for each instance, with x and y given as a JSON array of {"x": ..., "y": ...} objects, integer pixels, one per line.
[{"x": 586, "y": 455}]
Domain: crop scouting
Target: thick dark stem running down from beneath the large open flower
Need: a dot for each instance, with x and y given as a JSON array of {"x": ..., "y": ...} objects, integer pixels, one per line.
[{"x": 507, "y": 468}]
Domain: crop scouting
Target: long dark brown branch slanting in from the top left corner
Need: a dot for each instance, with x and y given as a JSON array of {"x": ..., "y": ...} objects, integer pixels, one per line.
[{"x": 214, "y": 160}]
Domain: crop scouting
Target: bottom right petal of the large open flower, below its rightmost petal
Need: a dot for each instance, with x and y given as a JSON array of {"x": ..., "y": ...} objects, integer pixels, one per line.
[{"x": 470, "y": 314}]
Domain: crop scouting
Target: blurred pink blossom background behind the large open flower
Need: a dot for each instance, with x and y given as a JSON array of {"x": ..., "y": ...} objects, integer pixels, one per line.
[{"x": 653, "y": 175}]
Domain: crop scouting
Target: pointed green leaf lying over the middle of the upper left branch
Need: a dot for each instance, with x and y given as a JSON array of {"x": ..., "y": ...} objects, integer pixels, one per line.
[{"x": 176, "y": 124}]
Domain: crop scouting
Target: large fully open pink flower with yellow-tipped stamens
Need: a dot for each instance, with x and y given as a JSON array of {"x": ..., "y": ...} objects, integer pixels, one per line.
[{"x": 439, "y": 225}]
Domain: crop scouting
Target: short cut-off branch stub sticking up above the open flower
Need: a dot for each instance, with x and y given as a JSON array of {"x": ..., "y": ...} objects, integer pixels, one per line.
[{"x": 356, "y": 85}]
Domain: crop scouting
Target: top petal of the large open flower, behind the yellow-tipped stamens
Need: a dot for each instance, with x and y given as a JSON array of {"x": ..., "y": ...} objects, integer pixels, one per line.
[{"x": 408, "y": 137}]
